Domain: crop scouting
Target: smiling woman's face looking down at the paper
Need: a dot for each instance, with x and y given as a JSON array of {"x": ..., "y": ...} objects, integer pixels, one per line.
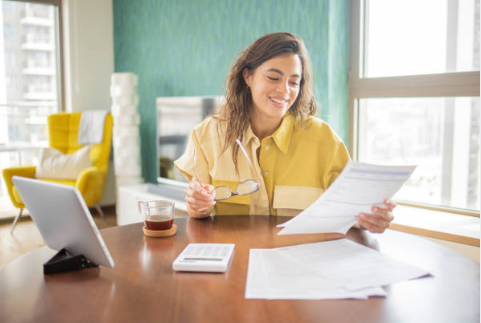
[{"x": 274, "y": 86}]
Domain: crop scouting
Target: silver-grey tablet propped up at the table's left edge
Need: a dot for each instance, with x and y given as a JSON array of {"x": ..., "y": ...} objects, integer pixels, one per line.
[{"x": 63, "y": 219}]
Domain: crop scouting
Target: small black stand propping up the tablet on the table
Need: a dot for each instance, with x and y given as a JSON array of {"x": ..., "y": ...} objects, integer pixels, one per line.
[{"x": 64, "y": 261}]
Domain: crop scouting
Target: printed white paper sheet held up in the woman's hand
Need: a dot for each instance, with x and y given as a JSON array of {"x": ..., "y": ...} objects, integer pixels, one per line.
[{"x": 358, "y": 187}]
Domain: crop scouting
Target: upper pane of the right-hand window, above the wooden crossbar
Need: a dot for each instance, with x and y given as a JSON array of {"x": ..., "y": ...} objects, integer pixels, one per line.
[{"x": 420, "y": 37}]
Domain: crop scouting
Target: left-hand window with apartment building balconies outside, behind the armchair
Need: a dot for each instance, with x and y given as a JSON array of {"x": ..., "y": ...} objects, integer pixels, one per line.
[{"x": 30, "y": 79}]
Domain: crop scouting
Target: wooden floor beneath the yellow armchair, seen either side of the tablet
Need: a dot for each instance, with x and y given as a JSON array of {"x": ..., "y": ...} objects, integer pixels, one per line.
[{"x": 26, "y": 237}]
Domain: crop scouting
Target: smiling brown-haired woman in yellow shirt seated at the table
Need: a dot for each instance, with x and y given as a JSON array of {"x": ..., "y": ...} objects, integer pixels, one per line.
[{"x": 291, "y": 154}]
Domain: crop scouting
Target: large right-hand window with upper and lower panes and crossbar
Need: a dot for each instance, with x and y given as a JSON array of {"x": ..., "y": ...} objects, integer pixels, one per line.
[{"x": 414, "y": 96}]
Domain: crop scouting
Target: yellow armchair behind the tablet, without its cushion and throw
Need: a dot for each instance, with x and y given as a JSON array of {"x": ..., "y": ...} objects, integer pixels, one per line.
[{"x": 63, "y": 135}]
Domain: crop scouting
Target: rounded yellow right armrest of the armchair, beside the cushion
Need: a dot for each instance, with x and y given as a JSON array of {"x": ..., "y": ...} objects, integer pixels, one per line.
[{"x": 91, "y": 183}]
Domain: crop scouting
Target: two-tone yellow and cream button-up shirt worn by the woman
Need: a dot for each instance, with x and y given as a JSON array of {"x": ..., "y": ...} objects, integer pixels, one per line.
[{"x": 294, "y": 167}]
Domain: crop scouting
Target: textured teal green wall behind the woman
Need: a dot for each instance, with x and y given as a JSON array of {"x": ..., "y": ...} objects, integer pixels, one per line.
[{"x": 185, "y": 47}]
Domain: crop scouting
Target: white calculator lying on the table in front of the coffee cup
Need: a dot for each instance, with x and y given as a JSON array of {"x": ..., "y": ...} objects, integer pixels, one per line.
[{"x": 205, "y": 257}]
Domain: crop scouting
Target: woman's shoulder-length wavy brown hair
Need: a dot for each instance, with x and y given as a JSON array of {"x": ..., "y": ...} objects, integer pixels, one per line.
[{"x": 238, "y": 106}]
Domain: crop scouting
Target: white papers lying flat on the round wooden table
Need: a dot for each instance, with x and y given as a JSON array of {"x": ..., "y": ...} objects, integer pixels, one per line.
[{"x": 324, "y": 270}]
